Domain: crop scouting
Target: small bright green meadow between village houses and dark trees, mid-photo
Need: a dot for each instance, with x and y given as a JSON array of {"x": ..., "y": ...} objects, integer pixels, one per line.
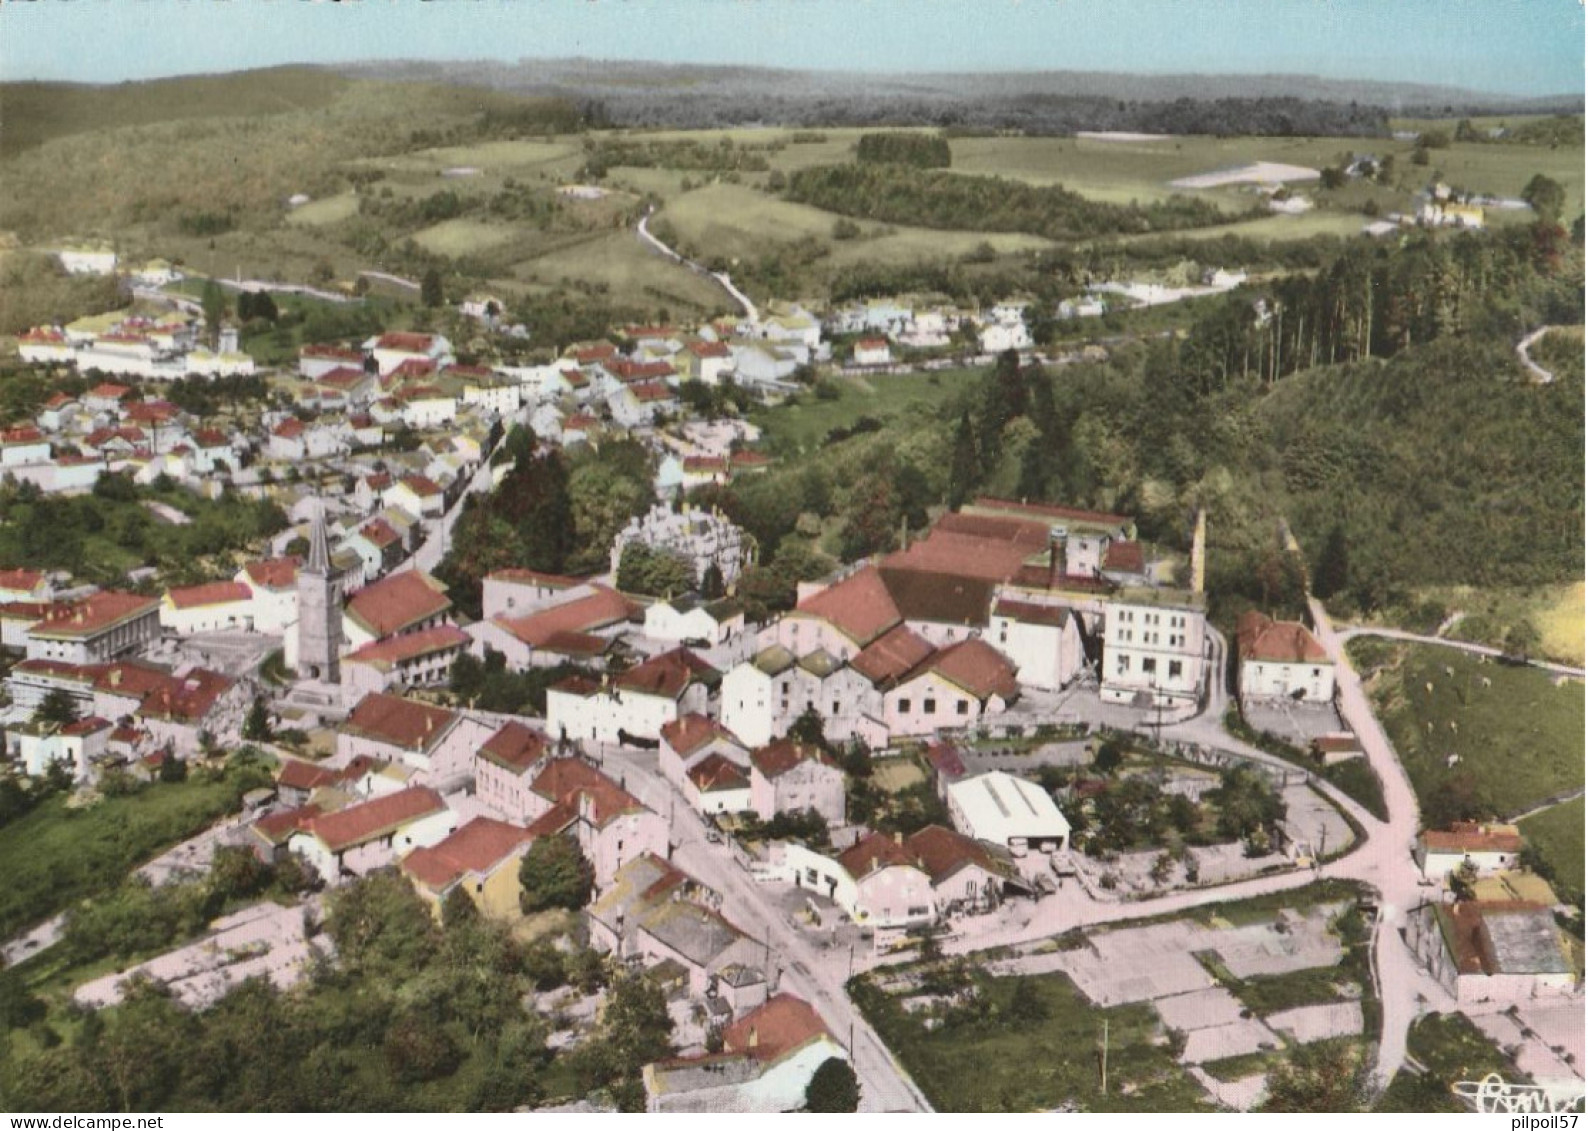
[{"x": 793, "y": 428}]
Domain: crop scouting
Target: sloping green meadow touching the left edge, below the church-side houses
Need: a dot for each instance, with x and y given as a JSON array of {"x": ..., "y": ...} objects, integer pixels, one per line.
[{"x": 58, "y": 855}]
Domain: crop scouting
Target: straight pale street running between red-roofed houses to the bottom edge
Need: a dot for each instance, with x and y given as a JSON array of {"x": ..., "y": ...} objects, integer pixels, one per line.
[{"x": 817, "y": 976}]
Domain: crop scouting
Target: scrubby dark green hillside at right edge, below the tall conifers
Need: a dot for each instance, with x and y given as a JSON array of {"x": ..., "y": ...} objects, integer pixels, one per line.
[{"x": 1441, "y": 468}]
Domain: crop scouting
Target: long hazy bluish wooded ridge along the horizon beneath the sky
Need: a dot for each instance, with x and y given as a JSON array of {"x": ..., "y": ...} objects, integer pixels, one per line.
[{"x": 1038, "y": 102}]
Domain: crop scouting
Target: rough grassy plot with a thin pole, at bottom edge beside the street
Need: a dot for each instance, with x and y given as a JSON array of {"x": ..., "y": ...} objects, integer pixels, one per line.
[{"x": 984, "y": 1060}]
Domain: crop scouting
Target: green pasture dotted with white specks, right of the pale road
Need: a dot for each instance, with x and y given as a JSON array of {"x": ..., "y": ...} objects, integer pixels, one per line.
[{"x": 1517, "y": 735}]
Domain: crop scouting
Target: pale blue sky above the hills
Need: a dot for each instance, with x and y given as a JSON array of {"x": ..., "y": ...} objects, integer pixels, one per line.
[{"x": 1513, "y": 47}]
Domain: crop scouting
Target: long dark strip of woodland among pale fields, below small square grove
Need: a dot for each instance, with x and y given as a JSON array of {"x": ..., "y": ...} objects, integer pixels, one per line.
[{"x": 900, "y": 195}]
